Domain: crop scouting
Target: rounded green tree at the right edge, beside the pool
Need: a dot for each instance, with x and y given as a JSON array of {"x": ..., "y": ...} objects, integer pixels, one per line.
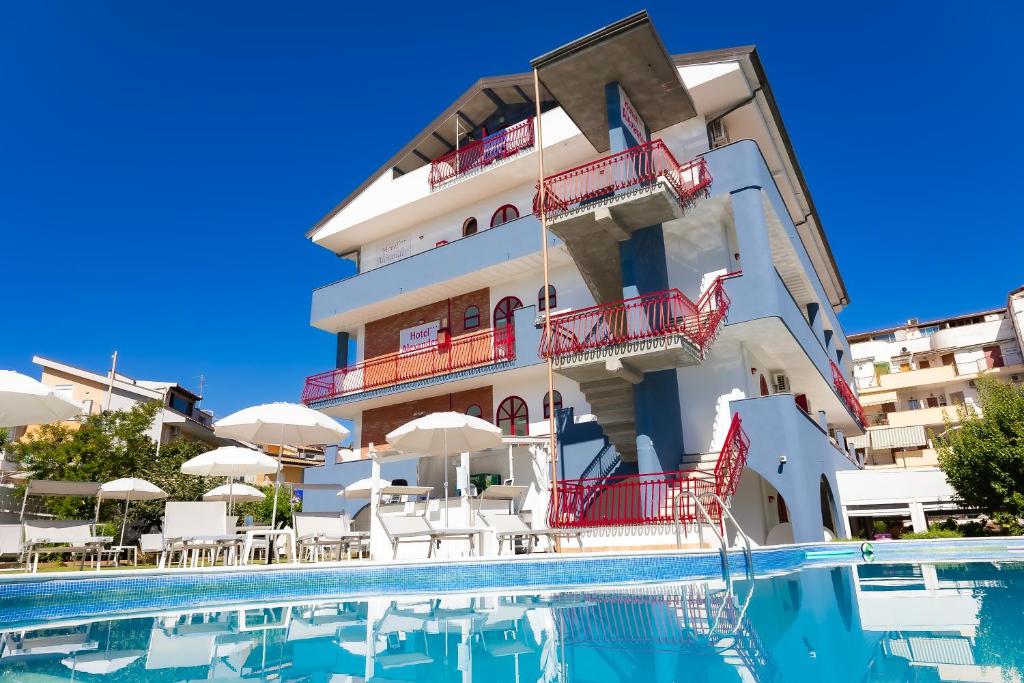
[{"x": 984, "y": 457}]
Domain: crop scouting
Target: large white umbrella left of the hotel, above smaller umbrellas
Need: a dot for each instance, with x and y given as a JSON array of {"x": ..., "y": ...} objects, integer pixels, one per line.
[{"x": 281, "y": 423}]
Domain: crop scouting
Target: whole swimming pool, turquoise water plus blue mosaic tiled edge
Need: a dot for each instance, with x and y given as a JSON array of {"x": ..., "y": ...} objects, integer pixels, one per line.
[{"x": 918, "y": 613}]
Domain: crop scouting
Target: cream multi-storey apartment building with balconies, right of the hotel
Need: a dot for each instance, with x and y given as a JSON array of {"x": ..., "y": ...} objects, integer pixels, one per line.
[{"x": 913, "y": 378}]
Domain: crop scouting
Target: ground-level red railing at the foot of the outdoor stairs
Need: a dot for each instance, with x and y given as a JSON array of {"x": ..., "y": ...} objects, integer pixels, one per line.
[{"x": 648, "y": 499}]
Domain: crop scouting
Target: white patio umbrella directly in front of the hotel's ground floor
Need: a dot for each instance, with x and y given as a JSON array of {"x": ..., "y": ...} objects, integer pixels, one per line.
[{"x": 443, "y": 434}]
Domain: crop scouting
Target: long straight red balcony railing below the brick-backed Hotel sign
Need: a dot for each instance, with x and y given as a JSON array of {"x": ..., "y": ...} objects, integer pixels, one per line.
[{"x": 473, "y": 351}]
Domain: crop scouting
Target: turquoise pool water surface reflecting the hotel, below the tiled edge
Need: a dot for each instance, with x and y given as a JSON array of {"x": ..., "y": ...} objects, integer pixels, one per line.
[{"x": 870, "y": 623}]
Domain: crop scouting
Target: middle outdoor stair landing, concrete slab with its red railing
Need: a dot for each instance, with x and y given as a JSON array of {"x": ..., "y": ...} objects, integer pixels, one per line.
[{"x": 649, "y": 333}]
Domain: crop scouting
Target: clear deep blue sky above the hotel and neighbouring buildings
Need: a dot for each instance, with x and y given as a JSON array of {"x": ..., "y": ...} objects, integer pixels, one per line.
[{"x": 160, "y": 162}]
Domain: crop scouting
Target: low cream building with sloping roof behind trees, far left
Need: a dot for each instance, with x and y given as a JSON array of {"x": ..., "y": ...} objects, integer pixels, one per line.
[{"x": 182, "y": 416}]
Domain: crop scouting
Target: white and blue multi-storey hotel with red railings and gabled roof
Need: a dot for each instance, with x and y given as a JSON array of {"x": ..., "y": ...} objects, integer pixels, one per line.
[{"x": 693, "y": 288}]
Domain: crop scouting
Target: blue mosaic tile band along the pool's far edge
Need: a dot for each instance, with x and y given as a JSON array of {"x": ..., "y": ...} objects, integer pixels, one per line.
[{"x": 39, "y": 597}]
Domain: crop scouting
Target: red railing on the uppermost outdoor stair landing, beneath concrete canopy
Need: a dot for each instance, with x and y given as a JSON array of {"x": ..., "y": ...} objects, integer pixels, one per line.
[{"x": 633, "y": 169}]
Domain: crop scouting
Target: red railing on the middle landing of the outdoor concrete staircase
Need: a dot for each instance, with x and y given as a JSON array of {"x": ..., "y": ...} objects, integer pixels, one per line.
[{"x": 646, "y": 317}]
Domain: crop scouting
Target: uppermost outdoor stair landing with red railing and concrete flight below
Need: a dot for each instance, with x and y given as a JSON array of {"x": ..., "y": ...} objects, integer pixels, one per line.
[{"x": 594, "y": 206}]
